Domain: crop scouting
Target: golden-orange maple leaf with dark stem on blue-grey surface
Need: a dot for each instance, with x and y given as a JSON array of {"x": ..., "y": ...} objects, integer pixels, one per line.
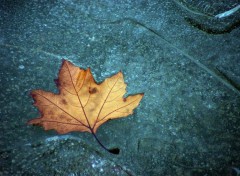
[{"x": 82, "y": 104}]
